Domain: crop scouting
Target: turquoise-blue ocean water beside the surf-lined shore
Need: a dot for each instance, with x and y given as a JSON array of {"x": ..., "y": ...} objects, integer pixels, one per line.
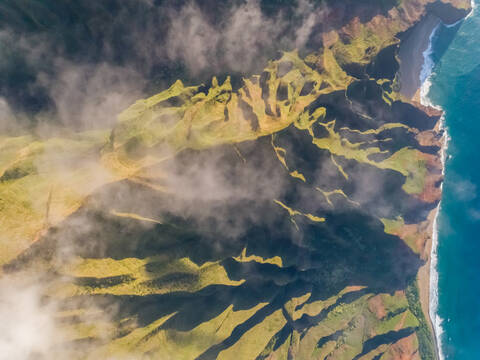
[{"x": 455, "y": 86}]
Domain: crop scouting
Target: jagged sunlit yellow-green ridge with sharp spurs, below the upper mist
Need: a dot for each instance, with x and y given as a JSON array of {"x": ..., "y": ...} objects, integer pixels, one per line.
[{"x": 189, "y": 117}]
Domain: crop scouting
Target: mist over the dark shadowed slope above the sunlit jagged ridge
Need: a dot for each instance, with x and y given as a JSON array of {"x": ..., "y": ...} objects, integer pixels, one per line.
[{"x": 81, "y": 76}]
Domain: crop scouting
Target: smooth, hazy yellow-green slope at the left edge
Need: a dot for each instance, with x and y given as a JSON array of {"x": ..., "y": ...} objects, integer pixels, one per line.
[{"x": 42, "y": 182}]
